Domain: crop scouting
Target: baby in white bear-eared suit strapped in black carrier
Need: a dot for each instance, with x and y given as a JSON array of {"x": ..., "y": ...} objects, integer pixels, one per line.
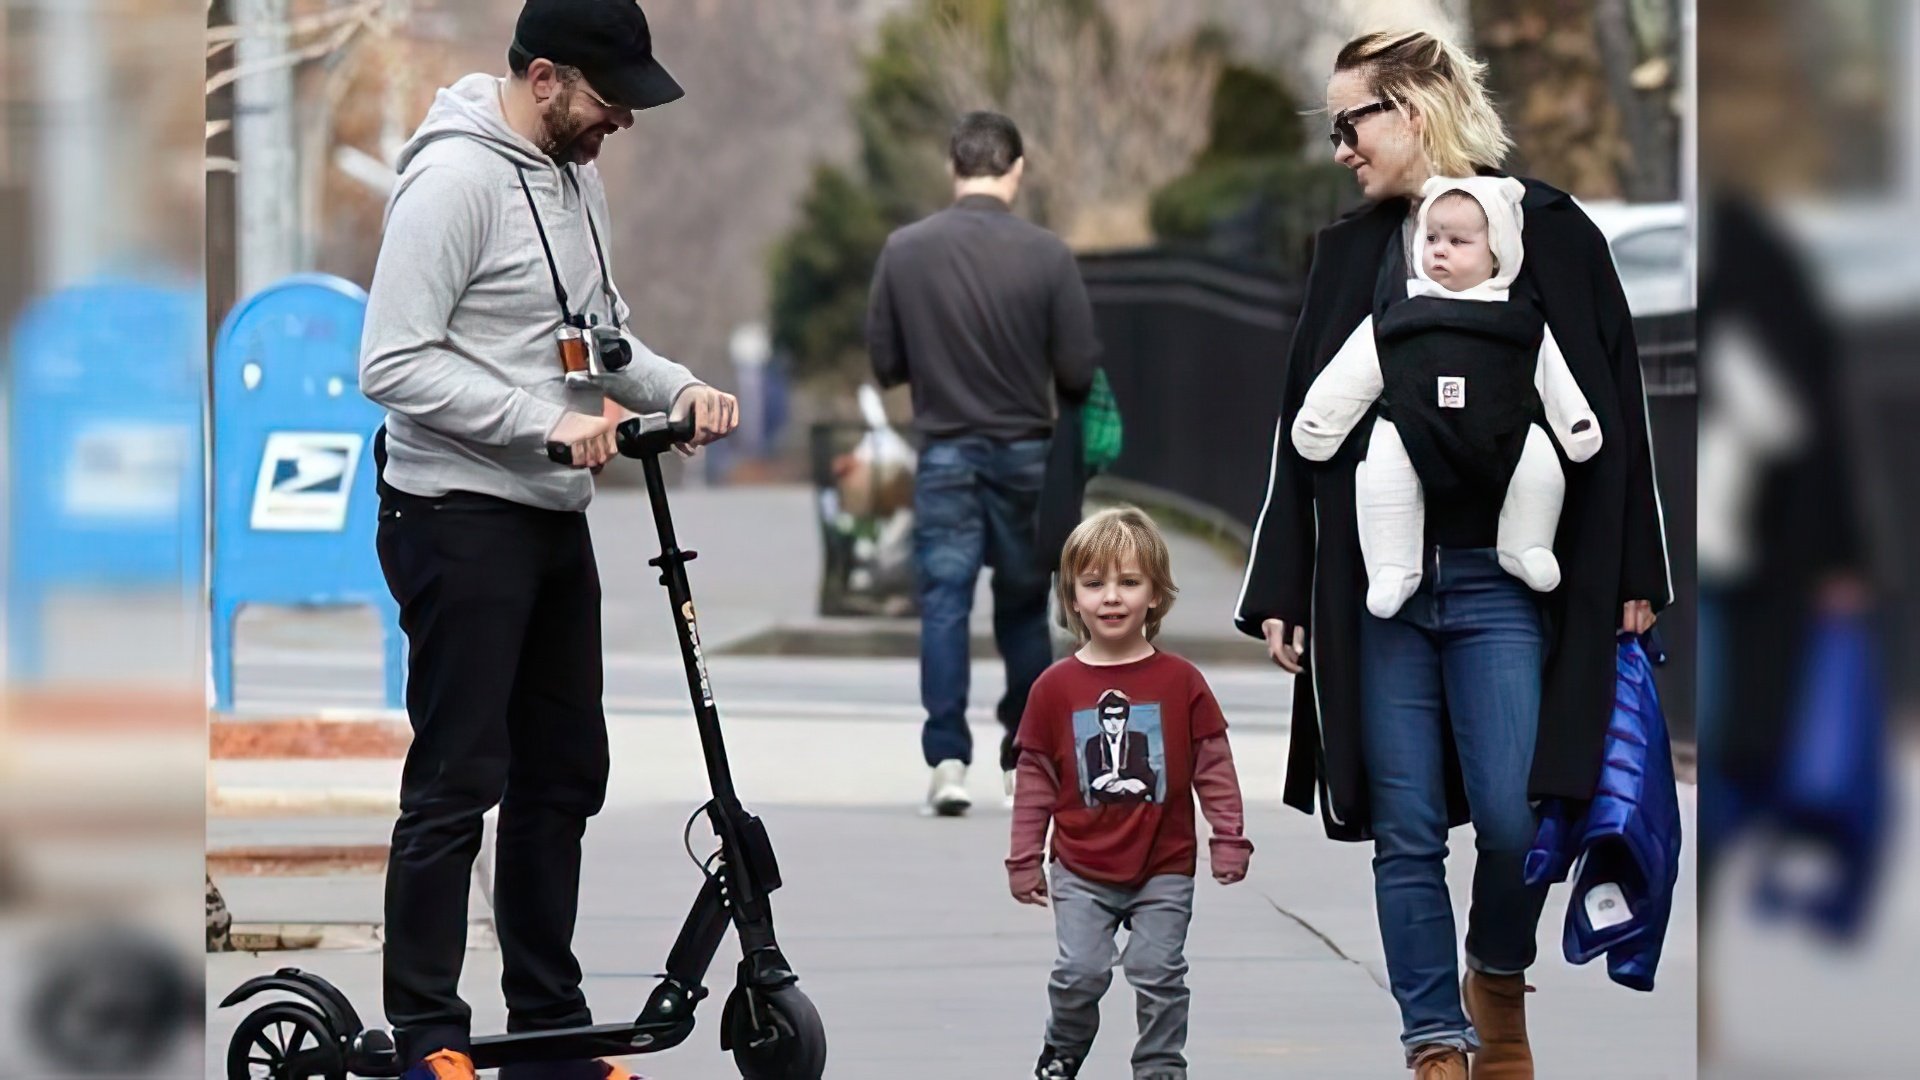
[{"x": 1464, "y": 381}]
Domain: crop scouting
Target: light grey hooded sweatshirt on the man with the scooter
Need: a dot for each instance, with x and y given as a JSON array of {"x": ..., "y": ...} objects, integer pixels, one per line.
[{"x": 462, "y": 312}]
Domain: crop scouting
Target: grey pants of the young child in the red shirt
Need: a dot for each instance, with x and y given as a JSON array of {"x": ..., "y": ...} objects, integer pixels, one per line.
[{"x": 1086, "y": 921}]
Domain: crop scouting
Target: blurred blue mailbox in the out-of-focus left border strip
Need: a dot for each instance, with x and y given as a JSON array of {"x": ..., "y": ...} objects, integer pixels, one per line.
[{"x": 108, "y": 383}]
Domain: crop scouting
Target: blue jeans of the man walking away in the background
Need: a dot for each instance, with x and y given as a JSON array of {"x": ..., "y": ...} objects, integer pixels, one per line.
[{"x": 974, "y": 504}]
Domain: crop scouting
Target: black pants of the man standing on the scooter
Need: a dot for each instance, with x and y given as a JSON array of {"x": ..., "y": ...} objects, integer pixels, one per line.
[{"x": 502, "y": 614}]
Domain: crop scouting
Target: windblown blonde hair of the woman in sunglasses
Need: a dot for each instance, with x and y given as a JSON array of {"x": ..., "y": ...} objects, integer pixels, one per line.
[{"x": 1445, "y": 86}]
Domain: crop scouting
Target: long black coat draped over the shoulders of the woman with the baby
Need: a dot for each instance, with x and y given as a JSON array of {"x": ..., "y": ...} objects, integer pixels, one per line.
[{"x": 1612, "y": 547}]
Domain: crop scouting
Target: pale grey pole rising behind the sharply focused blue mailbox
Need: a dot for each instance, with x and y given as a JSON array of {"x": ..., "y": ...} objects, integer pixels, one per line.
[{"x": 268, "y": 182}]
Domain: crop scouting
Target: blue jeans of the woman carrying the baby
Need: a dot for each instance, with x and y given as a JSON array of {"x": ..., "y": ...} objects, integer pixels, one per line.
[{"x": 1470, "y": 645}]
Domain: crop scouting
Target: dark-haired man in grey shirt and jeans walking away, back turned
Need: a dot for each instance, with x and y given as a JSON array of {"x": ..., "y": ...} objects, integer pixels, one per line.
[{"x": 986, "y": 318}]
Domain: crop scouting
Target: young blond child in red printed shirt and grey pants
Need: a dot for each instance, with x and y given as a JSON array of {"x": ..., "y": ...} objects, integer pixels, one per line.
[{"x": 1115, "y": 745}]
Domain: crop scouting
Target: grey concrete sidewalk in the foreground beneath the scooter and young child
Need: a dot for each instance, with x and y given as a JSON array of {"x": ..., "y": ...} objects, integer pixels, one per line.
[{"x": 905, "y": 937}]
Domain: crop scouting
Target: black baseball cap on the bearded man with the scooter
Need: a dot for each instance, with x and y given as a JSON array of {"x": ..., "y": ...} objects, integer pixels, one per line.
[{"x": 606, "y": 39}]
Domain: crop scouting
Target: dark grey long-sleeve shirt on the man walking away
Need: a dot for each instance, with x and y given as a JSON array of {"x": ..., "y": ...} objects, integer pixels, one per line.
[{"x": 984, "y": 316}]
